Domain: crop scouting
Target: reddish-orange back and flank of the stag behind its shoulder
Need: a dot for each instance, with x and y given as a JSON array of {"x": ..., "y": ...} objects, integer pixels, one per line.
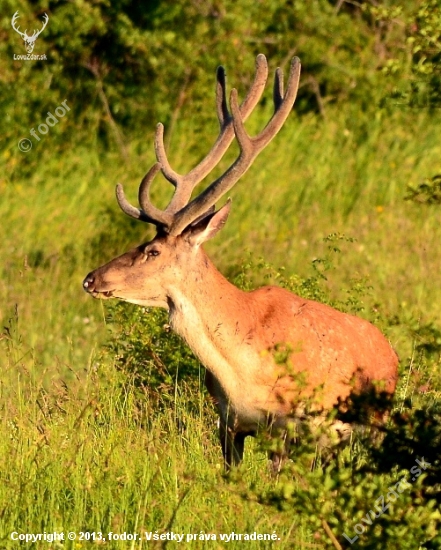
[{"x": 335, "y": 351}]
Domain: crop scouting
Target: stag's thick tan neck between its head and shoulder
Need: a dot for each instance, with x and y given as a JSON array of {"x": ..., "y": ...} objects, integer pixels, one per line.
[{"x": 214, "y": 318}]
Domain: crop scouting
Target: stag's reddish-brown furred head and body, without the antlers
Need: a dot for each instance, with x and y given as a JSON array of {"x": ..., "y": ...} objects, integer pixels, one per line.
[{"x": 236, "y": 335}]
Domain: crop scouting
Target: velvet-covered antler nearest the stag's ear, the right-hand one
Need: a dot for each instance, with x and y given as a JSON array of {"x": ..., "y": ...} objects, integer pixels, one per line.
[{"x": 249, "y": 147}]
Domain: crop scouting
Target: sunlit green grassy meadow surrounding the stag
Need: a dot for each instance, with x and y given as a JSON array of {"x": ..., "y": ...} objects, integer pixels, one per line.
[{"x": 85, "y": 447}]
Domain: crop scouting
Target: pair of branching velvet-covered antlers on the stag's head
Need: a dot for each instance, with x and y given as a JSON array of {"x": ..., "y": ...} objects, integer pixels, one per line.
[{"x": 180, "y": 212}]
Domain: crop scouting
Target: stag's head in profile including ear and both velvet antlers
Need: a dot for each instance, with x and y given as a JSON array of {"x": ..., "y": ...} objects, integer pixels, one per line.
[{"x": 144, "y": 274}]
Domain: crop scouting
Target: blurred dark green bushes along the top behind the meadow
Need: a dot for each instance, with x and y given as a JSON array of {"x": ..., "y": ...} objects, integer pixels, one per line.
[{"x": 129, "y": 65}]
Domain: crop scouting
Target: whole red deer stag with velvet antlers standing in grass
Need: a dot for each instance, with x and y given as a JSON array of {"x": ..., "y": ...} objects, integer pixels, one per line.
[{"x": 234, "y": 333}]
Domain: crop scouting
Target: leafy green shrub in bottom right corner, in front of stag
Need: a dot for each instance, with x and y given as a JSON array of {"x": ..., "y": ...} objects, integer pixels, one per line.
[{"x": 384, "y": 495}]
